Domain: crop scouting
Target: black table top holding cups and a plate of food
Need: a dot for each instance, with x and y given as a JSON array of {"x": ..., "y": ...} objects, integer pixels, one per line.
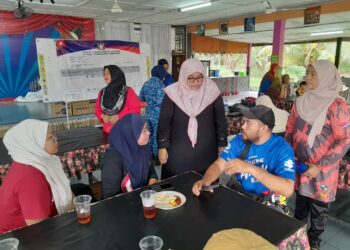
[{"x": 118, "y": 223}]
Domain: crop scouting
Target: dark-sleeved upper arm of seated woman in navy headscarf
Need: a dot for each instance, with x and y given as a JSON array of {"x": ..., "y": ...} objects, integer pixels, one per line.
[{"x": 112, "y": 174}]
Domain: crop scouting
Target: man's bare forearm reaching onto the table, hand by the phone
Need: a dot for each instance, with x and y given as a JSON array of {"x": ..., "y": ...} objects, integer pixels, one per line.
[{"x": 211, "y": 175}]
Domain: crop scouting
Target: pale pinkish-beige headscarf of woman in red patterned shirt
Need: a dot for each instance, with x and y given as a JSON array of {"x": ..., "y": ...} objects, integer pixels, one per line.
[{"x": 314, "y": 104}]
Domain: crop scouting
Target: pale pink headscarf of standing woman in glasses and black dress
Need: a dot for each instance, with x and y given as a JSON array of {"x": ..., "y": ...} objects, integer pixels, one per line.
[{"x": 192, "y": 102}]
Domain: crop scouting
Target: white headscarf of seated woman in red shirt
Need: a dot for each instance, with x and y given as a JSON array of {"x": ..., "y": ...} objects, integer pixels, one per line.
[{"x": 25, "y": 143}]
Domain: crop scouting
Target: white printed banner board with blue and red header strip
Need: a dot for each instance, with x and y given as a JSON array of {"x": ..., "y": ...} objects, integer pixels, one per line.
[{"x": 72, "y": 70}]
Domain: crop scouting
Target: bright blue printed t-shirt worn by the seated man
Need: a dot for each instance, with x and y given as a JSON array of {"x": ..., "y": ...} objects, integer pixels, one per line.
[{"x": 275, "y": 156}]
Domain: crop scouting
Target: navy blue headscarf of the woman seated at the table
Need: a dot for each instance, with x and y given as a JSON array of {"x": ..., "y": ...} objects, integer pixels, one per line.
[{"x": 123, "y": 138}]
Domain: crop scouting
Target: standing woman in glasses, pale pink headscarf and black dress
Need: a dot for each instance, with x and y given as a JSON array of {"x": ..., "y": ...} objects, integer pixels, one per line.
[{"x": 192, "y": 123}]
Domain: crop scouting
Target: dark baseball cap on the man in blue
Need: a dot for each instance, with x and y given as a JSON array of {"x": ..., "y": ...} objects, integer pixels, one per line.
[{"x": 261, "y": 113}]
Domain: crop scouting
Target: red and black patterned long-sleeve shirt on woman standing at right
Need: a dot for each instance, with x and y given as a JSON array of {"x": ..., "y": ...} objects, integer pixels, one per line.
[{"x": 329, "y": 148}]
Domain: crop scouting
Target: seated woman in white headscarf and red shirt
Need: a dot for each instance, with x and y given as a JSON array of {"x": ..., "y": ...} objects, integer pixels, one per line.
[{"x": 36, "y": 187}]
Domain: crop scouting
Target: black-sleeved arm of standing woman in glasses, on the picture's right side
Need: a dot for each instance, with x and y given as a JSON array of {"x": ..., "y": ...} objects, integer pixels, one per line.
[{"x": 220, "y": 122}]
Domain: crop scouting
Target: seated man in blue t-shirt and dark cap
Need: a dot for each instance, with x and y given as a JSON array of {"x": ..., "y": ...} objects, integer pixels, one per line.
[{"x": 267, "y": 166}]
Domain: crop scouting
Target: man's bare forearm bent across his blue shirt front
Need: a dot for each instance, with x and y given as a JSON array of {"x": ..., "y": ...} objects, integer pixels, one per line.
[{"x": 275, "y": 183}]
